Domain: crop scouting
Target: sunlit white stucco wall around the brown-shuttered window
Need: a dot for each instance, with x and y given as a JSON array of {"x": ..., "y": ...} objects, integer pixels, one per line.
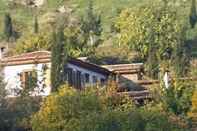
[{"x": 12, "y": 78}]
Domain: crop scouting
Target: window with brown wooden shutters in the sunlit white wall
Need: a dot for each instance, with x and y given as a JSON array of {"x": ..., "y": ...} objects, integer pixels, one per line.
[{"x": 28, "y": 79}]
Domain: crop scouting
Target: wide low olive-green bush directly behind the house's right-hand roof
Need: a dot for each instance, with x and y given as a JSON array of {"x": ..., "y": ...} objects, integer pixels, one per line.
[{"x": 113, "y": 55}]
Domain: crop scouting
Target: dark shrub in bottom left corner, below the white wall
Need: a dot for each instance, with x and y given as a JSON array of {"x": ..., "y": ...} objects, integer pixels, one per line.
[{"x": 16, "y": 113}]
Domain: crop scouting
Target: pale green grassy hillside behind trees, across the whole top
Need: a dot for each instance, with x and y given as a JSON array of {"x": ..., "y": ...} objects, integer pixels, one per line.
[{"x": 23, "y": 14}]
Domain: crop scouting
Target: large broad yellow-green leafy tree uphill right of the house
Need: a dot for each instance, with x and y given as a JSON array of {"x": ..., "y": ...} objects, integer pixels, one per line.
[{"x": 152, "y": 30}]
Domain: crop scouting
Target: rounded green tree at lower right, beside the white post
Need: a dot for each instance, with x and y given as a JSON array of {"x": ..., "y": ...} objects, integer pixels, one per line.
[{"x": 178, "y": 98}]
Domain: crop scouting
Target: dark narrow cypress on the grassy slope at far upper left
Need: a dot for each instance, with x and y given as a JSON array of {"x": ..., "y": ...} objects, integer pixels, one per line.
[{"x": 8, "y": 28}]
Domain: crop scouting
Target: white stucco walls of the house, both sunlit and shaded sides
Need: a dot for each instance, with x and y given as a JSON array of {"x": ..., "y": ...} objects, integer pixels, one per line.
[{"x": 12, "y": 78}]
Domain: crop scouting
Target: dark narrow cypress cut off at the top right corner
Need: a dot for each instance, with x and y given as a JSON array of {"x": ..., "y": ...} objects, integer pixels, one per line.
[{"x": 193, "y": 14}]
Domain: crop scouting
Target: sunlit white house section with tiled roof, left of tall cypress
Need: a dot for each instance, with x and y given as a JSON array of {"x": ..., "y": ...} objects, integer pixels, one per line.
[{"x": 18, "y": 69}]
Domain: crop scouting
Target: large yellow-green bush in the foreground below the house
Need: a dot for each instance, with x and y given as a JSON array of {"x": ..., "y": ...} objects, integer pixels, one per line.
[{"x": 67, "y": 108}]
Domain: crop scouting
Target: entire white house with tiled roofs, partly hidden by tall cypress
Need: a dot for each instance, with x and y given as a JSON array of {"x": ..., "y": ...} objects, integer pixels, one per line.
[{"x": 35, "y": 66}]
